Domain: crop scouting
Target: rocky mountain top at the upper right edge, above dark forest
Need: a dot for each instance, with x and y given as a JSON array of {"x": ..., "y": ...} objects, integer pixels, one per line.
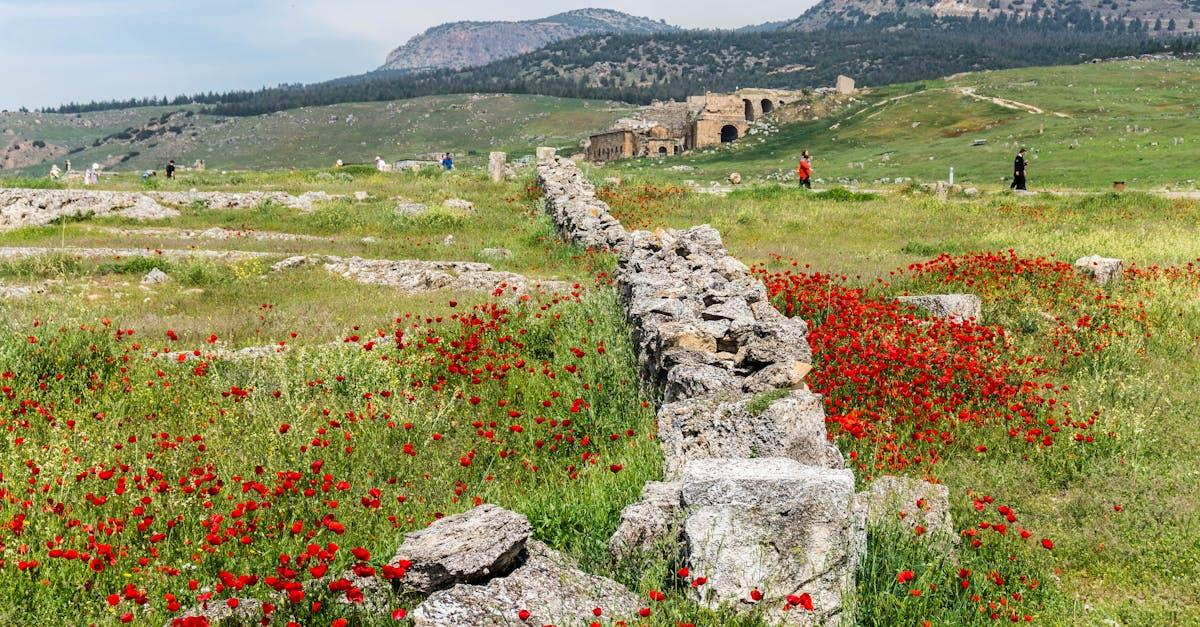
[{"x": 1165, "y": 17}]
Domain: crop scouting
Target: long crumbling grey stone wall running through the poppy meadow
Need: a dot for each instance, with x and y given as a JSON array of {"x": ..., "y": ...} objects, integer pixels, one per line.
[{"x": 755, "y": 492}]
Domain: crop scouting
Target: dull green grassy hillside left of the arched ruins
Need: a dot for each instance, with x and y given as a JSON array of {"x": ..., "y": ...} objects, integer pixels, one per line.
[{"x": 315, "y": 136}]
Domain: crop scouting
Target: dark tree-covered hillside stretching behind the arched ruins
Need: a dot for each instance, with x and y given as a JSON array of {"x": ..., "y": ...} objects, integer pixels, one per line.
[{"x": 673, "y": 67}]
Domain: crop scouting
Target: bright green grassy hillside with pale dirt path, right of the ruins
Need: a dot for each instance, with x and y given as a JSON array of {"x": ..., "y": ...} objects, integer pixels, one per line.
[{"x": 1085, "y": 126}]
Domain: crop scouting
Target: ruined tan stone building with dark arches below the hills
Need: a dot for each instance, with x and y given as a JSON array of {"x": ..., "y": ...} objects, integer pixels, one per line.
[{"x": 673, "y": 128}]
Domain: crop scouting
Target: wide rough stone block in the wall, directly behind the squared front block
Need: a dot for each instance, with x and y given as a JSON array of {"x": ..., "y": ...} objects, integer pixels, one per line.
[{"x": 791, "y": 427}]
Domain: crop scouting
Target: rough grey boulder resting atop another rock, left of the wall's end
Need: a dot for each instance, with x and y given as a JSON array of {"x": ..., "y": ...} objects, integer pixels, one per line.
[{"x": 473, "y": 547}]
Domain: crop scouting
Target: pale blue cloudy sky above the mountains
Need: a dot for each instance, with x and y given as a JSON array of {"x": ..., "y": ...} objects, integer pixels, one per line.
[{"x": 53, "y": 52}]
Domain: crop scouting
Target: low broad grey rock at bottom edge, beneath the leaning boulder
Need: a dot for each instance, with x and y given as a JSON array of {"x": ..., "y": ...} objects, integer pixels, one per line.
[{"x": 547, "y": 586}]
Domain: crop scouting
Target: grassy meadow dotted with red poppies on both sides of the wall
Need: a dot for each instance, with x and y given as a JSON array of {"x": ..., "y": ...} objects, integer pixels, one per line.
[{"x": 143, "y": 474}]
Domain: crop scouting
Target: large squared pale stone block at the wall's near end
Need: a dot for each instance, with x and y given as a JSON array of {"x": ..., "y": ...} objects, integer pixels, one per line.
[{"x": 772, "y": 526}]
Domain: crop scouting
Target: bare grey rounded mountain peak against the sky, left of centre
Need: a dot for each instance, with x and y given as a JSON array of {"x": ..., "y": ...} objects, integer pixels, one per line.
[{"x": 461, "y": 45}]
